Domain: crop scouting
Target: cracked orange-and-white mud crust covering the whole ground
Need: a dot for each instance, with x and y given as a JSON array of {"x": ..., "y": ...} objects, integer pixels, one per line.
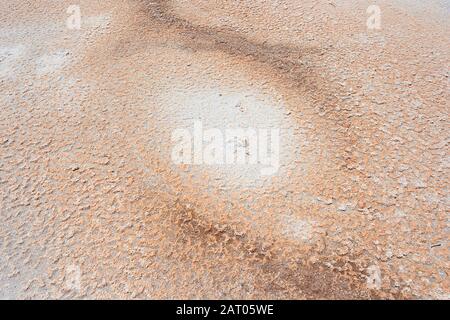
[{"x": 357, "y": 210}]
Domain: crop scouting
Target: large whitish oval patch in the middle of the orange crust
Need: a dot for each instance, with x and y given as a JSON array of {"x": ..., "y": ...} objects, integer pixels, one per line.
[{"x": 205, "y": 118}]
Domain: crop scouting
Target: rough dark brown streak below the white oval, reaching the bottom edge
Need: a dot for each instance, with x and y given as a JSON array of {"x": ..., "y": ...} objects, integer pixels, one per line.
[{"x": 277, "y": 276}]
